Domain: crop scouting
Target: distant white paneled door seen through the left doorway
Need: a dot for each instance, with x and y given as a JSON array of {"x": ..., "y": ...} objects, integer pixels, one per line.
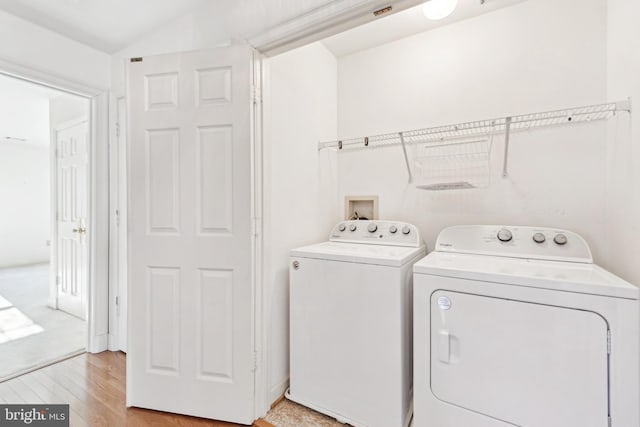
[{"x": 72, "y": 143}]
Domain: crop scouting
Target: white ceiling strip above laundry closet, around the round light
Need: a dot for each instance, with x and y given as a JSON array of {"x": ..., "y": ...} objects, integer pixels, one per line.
[{"x": 404, "y": 24}]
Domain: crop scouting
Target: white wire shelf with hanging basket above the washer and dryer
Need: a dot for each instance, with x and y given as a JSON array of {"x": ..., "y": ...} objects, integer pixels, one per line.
[{"x": 446, "y": 156}]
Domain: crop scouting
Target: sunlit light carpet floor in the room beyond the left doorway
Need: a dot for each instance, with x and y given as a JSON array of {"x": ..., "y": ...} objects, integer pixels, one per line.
[{"x": 31, "y": 333}]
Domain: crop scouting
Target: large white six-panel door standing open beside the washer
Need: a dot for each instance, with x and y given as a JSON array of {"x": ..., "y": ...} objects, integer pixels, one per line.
[{"x": 190, "y": 302}]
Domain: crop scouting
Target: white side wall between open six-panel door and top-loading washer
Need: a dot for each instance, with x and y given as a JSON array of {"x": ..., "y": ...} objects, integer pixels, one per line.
[{"x": 300, "y": 107}]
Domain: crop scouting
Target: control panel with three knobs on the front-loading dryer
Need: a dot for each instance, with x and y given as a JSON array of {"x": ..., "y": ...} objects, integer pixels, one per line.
[{"x": 516, "y": 242}]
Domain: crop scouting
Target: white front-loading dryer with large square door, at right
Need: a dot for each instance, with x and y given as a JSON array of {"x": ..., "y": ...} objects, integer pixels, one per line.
[{"x": 517, "y": 327}]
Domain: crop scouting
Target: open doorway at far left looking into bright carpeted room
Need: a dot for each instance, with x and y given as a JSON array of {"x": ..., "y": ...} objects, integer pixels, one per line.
[{"x": 44, "y": 255}]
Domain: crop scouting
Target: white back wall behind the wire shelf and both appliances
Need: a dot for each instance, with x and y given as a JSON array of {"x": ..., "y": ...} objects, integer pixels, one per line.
[{"x": 535, "y": 56}]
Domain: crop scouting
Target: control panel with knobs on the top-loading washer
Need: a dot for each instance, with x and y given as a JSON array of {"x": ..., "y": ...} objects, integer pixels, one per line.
[{"x": 393, "y": 233}]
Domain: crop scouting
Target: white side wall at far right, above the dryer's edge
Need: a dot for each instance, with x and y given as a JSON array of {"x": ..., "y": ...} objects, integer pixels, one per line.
[{"x": 623, "y": 178}]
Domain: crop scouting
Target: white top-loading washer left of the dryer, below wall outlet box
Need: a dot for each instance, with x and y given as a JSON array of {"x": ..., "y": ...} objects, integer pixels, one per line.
[{"x": 350, "y": 314}]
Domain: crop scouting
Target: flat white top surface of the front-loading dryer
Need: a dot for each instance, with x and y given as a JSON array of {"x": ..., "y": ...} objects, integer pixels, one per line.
[{"x": 555, "y": 275}]
